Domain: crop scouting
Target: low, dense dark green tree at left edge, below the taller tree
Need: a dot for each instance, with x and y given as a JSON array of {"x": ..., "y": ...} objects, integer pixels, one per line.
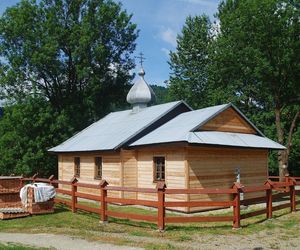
[{"x": 27, "y": 130}]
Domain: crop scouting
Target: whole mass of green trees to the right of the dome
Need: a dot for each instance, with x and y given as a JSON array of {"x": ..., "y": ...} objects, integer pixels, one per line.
[{"x": 252, "y": 61}]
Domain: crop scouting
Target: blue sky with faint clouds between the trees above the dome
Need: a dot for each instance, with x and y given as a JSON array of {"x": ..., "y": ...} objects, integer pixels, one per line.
[{"x": 159, "y": 22}]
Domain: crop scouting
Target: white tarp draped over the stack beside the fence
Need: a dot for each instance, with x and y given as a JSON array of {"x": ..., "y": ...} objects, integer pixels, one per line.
[{"x": 42, "y": 192}]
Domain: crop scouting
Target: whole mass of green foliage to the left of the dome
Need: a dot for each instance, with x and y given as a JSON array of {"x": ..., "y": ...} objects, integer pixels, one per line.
[{"x": 63, "y": 65}]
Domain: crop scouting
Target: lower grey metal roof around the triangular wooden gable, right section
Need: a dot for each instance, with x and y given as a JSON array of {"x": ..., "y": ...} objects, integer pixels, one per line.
[{"x": 182, "y": 129}]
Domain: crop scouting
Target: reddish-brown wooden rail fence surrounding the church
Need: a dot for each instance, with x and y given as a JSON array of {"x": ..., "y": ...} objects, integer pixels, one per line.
[{"x": 274, "y": 191}]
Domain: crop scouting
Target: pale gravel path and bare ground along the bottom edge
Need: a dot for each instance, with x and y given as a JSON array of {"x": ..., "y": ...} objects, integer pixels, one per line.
[{"x": 259, "y": 241}]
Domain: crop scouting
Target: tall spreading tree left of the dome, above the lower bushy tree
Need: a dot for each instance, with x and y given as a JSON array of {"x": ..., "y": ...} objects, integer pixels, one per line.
[{"x": 76, "y": 54}]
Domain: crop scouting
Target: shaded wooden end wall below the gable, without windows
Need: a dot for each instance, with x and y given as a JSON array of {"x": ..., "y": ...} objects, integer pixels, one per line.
[{"x": 213, "y": 167}]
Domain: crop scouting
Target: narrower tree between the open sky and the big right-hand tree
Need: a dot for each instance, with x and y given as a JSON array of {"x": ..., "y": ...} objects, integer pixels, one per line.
[{"x": 189, "y": 64}]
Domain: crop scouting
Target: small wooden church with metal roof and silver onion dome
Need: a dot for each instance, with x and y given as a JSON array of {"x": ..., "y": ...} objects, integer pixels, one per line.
[{"x": 170, "y": 142}]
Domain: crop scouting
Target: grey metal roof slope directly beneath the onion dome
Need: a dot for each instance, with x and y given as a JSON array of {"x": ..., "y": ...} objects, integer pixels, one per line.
[{"x": 115, "y": 129}]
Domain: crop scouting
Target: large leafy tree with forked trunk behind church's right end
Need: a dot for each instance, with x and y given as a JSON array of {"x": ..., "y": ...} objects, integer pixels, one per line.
[{"x": 256, "y": 58}]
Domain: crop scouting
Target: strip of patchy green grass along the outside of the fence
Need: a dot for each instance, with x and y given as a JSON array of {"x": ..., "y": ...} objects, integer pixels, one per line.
[{"x": 125, "y": 232}]
